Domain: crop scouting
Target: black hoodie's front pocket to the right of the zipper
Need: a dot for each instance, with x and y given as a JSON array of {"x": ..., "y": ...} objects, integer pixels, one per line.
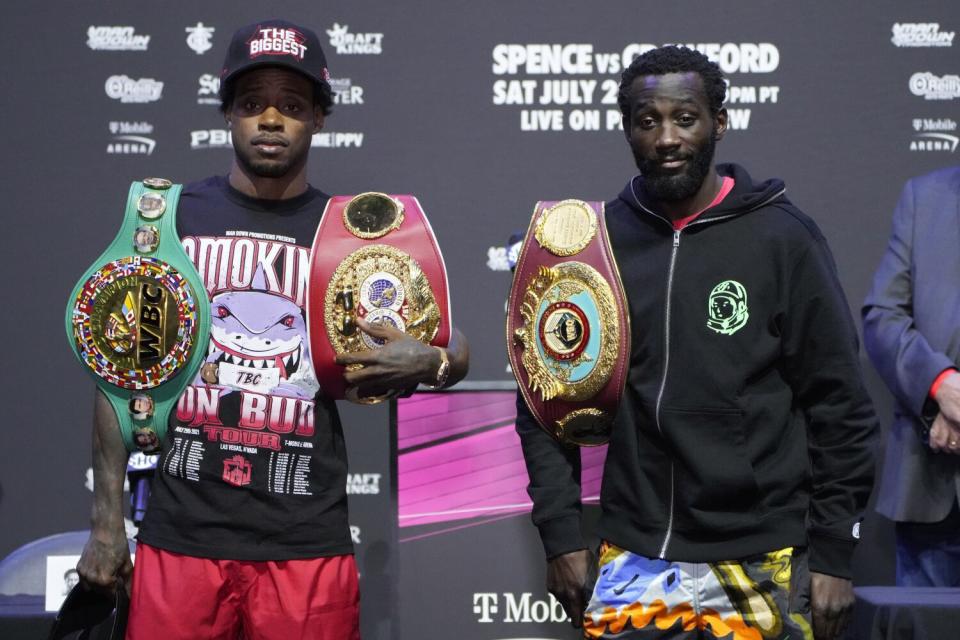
[{"x": 716, "y": 484}]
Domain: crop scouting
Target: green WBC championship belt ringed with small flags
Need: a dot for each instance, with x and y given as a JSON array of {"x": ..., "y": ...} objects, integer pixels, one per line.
[{"x": 138, "y": 319}]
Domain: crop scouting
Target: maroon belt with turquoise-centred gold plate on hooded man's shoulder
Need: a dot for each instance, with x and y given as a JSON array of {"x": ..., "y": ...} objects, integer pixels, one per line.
[{"x": 568, "y": 329}]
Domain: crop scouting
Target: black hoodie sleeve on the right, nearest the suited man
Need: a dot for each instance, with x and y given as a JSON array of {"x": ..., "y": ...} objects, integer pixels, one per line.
[{"x": 823, "y": 367}]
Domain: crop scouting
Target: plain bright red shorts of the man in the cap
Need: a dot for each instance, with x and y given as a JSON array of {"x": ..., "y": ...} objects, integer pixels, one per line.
[{"x": 176, "y": 596}]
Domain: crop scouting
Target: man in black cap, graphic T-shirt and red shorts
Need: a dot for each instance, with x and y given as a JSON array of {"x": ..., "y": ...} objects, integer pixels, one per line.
[{"x": 247, "y": 533}]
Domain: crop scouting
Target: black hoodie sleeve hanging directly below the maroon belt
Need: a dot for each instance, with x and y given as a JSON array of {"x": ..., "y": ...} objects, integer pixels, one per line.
[{"x": 554, "y": 487}]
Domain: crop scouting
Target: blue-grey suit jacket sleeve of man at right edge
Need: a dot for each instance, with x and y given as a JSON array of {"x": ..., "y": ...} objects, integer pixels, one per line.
[{"x": 902, "y": 356}]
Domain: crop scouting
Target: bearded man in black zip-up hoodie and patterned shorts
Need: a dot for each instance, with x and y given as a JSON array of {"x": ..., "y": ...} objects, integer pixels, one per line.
[{"x": 741, "y": 457}]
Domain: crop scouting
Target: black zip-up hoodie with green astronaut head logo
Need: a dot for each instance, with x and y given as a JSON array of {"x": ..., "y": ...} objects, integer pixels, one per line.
[{"x": 745, "y": 426}]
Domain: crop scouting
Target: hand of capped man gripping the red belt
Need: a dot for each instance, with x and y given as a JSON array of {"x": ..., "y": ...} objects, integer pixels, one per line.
[{"x": 401, "y": 363}]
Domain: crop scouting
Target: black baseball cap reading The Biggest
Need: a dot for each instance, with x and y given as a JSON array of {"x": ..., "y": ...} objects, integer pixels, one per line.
[{"x": 275, "y": 43}]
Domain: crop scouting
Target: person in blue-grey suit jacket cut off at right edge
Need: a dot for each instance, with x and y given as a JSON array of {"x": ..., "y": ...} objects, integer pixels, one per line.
[{"x": 911, "y": 329}]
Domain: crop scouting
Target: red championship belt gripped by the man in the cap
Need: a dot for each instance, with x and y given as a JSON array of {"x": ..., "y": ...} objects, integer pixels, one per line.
[{"x": 374, "y": 257}]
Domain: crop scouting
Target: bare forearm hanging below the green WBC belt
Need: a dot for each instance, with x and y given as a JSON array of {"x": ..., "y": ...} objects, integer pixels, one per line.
[{"x": 109, "y": 469}]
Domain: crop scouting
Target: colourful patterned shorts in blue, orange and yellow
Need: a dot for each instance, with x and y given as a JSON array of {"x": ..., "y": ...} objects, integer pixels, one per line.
[{"x": 764, "y": 597}]
